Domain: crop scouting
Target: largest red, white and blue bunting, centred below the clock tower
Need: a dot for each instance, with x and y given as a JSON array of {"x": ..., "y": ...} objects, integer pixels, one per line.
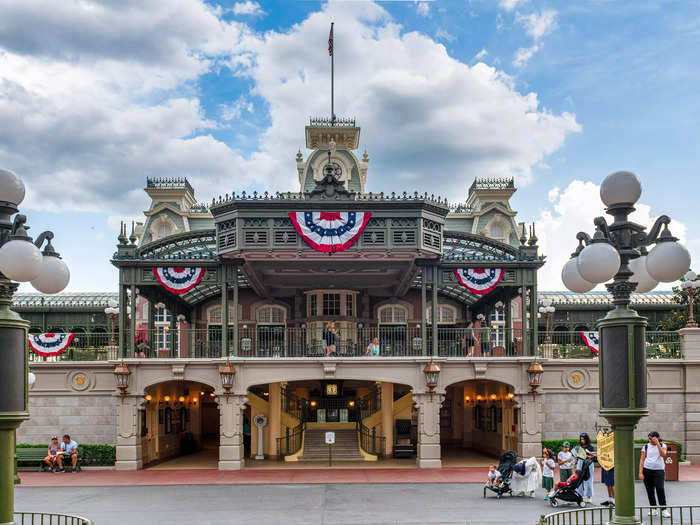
[{"x": 330, "y": 232}]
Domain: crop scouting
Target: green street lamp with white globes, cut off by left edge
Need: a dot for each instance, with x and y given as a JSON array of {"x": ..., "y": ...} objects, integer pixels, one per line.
[{"x": 20, "y": 260}]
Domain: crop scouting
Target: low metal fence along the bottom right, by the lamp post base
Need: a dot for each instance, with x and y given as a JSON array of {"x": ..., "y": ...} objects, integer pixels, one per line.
[{"x": 680, "y": 515}]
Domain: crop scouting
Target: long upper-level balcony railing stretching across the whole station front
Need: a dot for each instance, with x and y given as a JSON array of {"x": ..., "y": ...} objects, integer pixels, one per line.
[{"x": 265, "y": 341}]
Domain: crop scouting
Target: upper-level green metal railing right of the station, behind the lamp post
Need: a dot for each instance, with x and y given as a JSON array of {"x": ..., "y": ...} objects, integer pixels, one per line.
[{"x": 570, "y": 345}]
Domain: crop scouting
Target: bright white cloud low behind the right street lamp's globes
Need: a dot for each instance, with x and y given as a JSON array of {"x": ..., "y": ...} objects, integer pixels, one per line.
[{"x": 572, "y": 210}]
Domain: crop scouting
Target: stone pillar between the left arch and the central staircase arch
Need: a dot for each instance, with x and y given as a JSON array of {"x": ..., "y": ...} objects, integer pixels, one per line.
[{"x": 231, "y": 450}]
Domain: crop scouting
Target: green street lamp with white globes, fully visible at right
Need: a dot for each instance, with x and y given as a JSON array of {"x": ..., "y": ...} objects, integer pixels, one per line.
[{"x": 617, "y": 252}]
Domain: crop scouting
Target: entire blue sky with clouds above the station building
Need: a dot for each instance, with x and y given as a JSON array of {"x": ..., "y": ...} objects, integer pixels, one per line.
[{"x": 557, "y": 94}]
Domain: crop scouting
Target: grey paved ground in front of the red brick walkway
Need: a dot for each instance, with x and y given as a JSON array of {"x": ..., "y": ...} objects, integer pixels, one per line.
[{"x": 308, "y": 504}]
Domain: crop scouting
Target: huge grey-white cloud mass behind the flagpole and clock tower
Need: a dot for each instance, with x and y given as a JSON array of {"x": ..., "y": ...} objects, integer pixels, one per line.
[{"x": 100, "y": 109}]
